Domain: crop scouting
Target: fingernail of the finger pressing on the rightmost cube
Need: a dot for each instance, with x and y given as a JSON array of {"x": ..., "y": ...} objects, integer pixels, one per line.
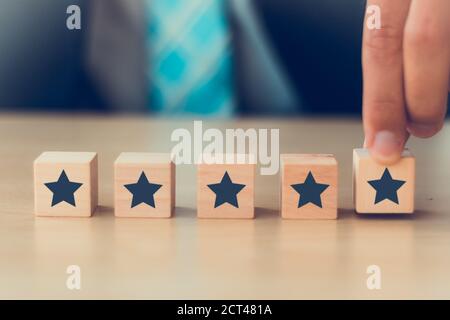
[{"x": 387, "y": 146}]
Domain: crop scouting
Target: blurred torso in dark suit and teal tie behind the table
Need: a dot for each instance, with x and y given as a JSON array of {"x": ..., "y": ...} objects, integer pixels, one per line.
[{"x": 198, "y": 57}]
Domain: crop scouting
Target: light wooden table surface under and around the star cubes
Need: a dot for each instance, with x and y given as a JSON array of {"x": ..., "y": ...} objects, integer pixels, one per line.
[{"x": 265, "y": 258}]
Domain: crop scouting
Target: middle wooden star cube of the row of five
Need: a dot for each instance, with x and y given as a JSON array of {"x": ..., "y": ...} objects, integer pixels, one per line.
[{"x": 225, "y": 187}]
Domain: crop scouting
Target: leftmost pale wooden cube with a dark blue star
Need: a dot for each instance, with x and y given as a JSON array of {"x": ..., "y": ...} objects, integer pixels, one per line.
[{"x": 65, "y": 184}]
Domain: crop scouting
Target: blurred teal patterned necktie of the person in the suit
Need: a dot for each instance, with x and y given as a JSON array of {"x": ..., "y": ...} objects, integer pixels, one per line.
[{"x": 190, "y": 57}]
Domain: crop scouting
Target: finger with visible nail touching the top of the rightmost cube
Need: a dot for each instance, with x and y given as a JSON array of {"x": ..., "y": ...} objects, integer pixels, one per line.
[{"x": 384, "y": 111}]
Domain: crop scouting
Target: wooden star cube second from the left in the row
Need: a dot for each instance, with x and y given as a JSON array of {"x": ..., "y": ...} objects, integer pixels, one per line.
[{"x": 144, "y": 185}]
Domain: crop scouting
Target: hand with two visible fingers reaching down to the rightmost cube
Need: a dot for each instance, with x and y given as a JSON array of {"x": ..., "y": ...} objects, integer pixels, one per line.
[{"x": 406, "y": 67}]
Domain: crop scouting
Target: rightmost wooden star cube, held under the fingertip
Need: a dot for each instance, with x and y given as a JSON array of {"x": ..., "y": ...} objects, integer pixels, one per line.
[{"x": 381, "y": 189}]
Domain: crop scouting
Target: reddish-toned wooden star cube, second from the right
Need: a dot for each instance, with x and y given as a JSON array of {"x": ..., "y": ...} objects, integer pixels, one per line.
[{"x": 309, "y": 186}]
